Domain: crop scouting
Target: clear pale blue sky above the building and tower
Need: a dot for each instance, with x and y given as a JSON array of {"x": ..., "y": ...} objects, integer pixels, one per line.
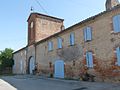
[{"x": 14, "y": 15}]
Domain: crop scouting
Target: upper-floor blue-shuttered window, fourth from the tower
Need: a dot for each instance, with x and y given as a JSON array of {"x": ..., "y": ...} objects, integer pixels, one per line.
[{"x": 88, "y": 34}]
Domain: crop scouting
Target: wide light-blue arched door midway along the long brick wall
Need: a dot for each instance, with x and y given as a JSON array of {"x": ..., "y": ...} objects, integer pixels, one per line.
[{"x": 59, "y": 69}]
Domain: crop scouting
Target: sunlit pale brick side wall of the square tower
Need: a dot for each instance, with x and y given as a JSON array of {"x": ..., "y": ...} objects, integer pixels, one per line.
[{"x": 49, "y": 25}]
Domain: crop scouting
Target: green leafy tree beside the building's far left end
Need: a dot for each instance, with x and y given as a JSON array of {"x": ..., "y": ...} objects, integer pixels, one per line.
[{"x": 6, "y": 58}]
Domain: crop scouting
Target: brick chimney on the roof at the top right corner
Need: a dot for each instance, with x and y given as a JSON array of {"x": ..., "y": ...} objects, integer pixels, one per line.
[{"x": 111, "y": 4}]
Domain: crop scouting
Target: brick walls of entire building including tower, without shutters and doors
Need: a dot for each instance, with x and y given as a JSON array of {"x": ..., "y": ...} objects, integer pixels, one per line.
[{"x": 103, "y": 44}]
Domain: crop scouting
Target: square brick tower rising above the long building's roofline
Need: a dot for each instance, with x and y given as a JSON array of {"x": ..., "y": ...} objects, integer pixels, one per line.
[{"x": 41, "y": 26}]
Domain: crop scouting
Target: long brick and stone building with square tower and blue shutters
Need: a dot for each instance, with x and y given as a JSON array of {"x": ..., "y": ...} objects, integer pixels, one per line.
[{"x": 92, "y": 46}]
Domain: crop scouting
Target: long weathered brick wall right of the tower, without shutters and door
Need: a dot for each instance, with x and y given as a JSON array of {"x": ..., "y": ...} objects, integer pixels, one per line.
[{"x": 103, "y": 44}]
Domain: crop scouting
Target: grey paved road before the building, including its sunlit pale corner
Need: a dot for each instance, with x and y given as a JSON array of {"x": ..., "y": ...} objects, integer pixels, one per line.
[{"x": 37, "y": 83}]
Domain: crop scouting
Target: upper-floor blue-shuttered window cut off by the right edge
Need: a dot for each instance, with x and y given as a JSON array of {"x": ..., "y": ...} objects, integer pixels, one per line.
[{"x": 116, "y": 23}]
